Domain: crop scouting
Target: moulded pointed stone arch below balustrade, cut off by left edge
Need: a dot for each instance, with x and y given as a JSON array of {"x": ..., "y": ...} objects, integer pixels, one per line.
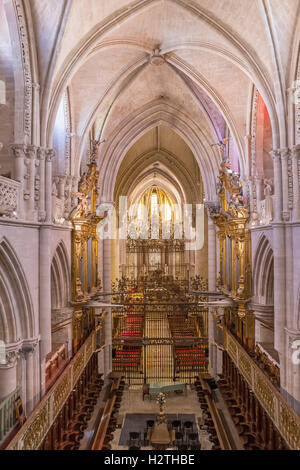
[{"x": 16, "y": 310}]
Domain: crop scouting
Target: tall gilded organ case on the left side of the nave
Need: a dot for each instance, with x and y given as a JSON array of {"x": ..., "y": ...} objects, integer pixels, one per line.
[{"x": 85, "y": 281}]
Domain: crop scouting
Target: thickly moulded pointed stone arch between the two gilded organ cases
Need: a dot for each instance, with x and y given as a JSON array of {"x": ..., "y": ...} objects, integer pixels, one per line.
[{"x": 156, "y": 113}]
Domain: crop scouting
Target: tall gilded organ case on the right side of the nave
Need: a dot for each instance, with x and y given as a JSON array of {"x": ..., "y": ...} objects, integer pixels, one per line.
[{"x": 231, "y": 218}]
